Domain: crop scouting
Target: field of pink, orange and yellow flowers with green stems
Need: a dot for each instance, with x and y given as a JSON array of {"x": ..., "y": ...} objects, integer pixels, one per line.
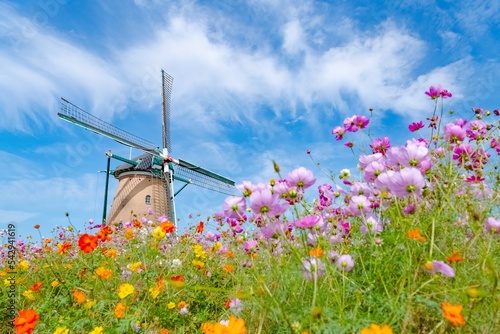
[{"x": 408, "y": 243}]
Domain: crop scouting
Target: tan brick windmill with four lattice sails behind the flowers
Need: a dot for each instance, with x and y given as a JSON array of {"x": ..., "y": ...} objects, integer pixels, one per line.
[{"x": 146, "y": 181}]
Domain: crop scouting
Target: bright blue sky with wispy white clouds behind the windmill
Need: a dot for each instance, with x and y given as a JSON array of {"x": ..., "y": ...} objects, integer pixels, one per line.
[{"x": 254, "y": 81}]
